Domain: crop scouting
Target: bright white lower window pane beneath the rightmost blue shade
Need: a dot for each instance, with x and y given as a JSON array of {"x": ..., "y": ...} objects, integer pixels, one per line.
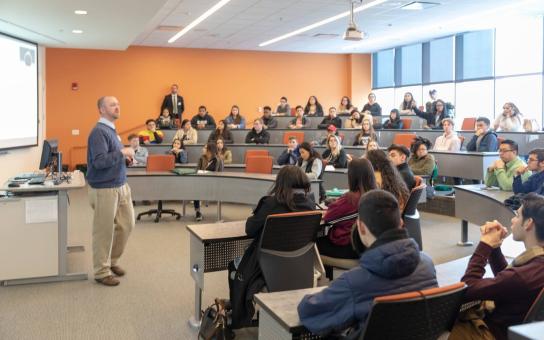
[{"x": 473, "y": 99}]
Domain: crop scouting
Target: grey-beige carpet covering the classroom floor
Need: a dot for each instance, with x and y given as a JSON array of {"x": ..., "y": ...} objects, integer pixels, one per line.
[{"x": 155, "y": 298}]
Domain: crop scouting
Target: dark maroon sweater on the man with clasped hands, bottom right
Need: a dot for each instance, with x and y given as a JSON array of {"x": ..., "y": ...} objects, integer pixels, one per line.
[{"x": 513, "y": 289}]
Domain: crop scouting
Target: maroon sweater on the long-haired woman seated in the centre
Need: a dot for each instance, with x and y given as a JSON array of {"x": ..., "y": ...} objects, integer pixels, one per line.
[{"x": 347, "y": 204}]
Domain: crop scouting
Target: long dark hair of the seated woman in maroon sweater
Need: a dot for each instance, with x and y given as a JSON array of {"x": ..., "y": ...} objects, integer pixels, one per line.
[{"x": 361, "y": 178}]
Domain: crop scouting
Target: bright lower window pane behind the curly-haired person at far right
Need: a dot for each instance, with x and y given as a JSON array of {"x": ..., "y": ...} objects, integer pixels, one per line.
[{"x": 525, "y": 92}]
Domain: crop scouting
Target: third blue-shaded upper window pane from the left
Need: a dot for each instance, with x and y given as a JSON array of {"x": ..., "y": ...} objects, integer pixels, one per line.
[{"x": 441, "y": 60}]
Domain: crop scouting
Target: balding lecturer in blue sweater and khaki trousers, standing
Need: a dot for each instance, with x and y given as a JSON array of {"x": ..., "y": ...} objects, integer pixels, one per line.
[{"x": 109, "y": 193}]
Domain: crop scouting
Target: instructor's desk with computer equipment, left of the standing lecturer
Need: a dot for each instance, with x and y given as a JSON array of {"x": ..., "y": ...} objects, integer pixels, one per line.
[{"x": 60, "y": 241}]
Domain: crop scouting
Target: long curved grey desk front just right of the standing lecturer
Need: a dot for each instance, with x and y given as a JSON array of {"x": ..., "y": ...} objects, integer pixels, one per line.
[{"x": 232, "y": 187}]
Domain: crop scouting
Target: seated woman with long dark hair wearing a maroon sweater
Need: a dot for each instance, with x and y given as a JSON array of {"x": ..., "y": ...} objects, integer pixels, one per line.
[{"x": 337, "y": 243}]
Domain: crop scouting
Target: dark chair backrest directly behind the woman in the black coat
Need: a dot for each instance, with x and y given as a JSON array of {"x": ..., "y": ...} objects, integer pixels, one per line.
[{"x": 286, "y": 250}]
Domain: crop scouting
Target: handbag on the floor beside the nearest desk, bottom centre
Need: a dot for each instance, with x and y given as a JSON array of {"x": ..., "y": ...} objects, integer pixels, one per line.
[{"x": 213, "y": 323}]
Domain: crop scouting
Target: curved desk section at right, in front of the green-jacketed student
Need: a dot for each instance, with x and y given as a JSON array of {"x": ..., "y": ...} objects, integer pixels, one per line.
[{"x": 475, "y": 204}]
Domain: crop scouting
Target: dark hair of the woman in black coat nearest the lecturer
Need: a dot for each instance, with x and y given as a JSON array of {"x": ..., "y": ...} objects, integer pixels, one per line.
[{"x": 289, "y": 179}]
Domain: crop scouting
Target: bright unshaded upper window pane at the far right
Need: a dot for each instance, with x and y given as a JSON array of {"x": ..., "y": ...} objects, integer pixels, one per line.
[{"x": 519, "y": 46}]
